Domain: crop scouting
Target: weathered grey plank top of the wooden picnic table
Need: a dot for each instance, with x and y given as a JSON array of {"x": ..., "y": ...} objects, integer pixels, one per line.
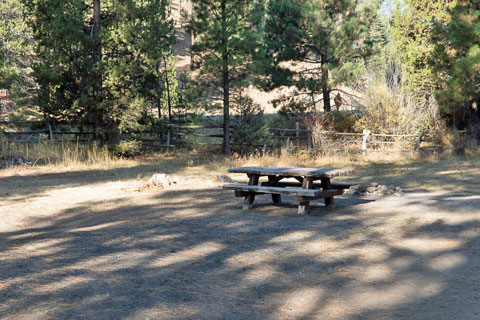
[{"x": 294, "y": 172}]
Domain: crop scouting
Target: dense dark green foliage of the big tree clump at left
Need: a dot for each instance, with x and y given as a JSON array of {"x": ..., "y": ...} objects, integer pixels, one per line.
[{"x": 98, "y": 72}]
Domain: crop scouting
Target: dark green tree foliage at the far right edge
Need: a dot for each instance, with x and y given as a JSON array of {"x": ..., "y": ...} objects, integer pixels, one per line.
[{"x": 456, "y": 63}]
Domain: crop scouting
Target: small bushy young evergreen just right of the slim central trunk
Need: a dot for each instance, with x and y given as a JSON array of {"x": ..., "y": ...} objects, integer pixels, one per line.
[{"x": 249, "y": 127}]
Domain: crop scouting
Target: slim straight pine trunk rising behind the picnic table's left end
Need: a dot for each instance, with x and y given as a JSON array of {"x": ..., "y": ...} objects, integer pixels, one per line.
[{"x": 226, "y": 85}]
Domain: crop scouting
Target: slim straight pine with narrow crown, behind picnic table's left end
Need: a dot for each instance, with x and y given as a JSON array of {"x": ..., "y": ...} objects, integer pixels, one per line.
[{"x": 226, "y": 37}]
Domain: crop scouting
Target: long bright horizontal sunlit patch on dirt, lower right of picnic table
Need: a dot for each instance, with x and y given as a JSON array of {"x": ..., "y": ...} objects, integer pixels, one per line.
[{"x": 427, "y": 245}]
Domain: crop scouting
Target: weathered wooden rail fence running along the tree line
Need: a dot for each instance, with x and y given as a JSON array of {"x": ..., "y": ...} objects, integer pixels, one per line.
[{"x": 285, "y": 139}]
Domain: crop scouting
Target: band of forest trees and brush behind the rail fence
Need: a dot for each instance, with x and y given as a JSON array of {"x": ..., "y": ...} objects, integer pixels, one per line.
[{"x": 110, "y": 65}]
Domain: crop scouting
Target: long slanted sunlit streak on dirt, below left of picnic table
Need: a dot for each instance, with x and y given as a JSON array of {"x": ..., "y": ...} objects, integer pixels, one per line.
[{"x": 194, "y": 253}]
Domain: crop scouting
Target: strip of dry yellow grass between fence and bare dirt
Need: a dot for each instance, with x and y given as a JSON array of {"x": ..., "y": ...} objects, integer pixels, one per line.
[{"x": 409, "y": 171}]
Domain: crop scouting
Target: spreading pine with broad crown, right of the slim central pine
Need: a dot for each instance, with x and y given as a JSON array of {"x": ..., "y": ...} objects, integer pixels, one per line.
[{"x": 316, "y": 45}]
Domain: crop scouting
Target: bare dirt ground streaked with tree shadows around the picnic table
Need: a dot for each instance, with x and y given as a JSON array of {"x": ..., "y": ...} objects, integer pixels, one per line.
[{"x": 85, "y": 245}]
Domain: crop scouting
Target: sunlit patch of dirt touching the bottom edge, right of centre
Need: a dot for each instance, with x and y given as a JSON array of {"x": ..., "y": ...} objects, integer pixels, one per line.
[{"x": 299, "y": 303}]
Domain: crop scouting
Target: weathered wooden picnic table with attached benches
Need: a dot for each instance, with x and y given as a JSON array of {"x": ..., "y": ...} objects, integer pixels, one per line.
[{"x": 304, "y": 189}]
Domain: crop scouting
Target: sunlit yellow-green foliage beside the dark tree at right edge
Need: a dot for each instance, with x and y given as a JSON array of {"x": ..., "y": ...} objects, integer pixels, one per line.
[{"x": 413, "y": 21}]
